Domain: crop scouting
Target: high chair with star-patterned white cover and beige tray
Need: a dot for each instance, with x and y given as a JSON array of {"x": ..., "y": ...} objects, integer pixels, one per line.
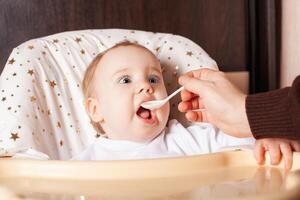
[{"x": 43, "y": 118}]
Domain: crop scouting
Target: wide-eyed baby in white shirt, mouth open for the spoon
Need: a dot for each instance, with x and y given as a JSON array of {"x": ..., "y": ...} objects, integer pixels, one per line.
[{"x": 115, "y": 85}]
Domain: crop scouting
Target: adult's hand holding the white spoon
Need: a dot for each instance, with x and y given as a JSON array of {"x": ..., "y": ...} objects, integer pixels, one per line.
[{"x": 224, "y": 103}]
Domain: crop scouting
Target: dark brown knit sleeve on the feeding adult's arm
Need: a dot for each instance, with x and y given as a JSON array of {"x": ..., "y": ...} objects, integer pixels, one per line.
[{"x": 275, "y": 113}]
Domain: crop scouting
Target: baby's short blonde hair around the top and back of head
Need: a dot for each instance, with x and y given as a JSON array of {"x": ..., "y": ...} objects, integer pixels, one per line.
[{"x": 90, "y": 72}]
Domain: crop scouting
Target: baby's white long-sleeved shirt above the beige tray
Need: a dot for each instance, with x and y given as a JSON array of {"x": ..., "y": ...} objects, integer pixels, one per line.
[{"x": 175, "y": 140}]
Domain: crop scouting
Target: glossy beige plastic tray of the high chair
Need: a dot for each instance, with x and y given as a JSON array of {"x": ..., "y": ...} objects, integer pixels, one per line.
[{"x": 225, "y": 175}]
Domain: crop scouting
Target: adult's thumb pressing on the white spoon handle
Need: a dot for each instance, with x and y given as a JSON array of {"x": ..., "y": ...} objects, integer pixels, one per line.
[{"x": 193, "y": 85}]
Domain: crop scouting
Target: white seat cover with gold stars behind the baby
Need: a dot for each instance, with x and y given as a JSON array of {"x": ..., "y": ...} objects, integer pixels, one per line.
[{"x": 42, "y": 105}]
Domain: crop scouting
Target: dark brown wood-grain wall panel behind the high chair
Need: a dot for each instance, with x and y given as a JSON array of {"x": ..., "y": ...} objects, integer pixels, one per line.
[{"x": 219, "y": 26}]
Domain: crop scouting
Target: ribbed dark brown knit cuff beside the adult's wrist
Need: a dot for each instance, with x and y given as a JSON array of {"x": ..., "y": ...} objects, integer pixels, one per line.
[{"x": 269, "y": 114}]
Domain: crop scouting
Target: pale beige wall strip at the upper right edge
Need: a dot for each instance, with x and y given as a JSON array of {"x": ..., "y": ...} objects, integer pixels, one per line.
[{"x": 290, "y": 54}]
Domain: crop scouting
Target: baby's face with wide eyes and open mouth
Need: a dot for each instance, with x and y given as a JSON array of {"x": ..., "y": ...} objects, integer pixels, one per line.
[{"x": 126, "y": 77}]
